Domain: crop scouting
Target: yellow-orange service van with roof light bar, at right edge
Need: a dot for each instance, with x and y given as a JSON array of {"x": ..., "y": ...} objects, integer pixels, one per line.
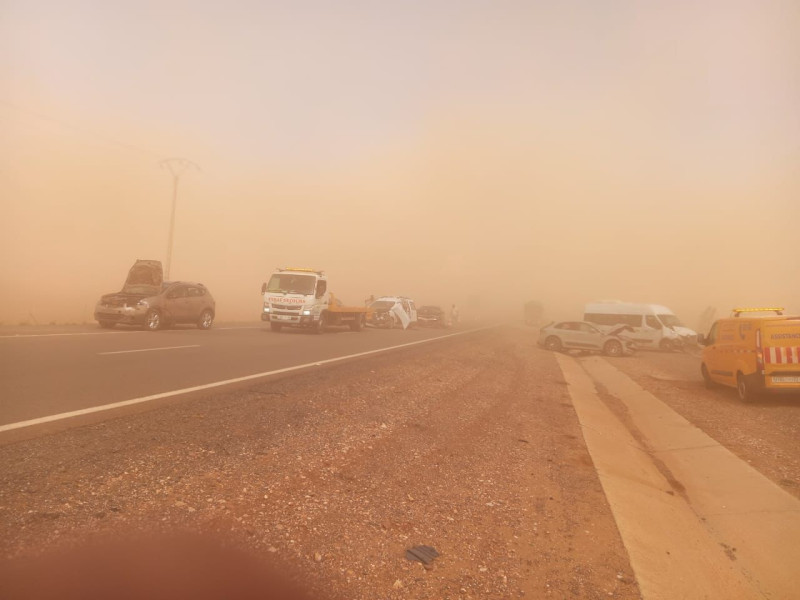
[{"x": 756, "y": 350}]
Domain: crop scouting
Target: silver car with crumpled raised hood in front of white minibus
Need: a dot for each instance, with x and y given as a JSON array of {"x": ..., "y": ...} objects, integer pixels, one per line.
[{"x": 579, "y": 335}]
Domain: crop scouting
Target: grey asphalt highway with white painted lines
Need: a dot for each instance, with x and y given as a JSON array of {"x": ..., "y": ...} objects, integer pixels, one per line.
[{"x": 46, "y": 375}]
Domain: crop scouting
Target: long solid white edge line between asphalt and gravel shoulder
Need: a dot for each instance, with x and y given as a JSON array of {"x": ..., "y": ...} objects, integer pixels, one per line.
[{"x": 196, "y": 388}]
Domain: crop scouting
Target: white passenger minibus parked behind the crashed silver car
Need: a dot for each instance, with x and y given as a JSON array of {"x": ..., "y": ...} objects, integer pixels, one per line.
[{"x": 655, "y": 326}]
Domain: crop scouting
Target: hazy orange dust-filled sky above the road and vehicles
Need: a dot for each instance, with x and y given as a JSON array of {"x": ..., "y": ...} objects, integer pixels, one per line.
[{"x": 451, "y": 151}]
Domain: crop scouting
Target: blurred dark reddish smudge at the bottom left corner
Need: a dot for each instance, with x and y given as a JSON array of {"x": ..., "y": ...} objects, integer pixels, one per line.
[{"x": 150, "y": 567}]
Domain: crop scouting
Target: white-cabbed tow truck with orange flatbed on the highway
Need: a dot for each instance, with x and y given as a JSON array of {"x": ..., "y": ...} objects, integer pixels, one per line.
[{"x": 299, "y": 297}]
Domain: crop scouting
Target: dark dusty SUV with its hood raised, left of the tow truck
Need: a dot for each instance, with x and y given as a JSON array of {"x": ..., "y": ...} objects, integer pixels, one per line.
[{"x": 147, "y": 300}]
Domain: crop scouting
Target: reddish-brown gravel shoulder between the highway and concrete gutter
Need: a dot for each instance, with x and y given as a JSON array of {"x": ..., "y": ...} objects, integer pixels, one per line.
[{"x": 470, "y": 446}]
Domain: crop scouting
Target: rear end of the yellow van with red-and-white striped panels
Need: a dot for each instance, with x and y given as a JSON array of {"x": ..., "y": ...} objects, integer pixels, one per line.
[{"x": 780, "y": 340}]
